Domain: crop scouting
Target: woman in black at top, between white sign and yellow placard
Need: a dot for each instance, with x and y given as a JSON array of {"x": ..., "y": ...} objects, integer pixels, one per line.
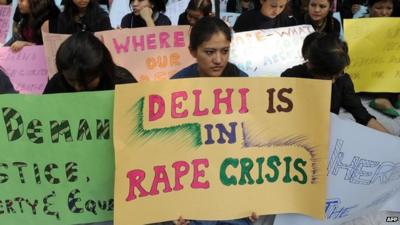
[{"x": 320, "y": 16}]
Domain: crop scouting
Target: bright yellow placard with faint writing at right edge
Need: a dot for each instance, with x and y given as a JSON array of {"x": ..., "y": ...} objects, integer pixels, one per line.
[{"x": 374, "y": 49}]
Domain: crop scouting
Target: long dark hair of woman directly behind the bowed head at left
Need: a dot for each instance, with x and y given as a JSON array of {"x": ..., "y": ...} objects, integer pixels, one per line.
[{"x": 93, "y": 10}]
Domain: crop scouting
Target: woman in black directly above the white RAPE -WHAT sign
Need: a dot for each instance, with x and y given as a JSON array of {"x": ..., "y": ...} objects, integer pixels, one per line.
[{"x": 271, "y": 15}]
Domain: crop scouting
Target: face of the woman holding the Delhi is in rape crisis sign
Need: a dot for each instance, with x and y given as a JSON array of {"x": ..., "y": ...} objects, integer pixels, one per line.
[{"x": 212, "y": 55}]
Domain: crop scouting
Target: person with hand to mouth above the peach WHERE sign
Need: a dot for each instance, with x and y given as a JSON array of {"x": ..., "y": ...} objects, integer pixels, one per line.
[{"x": 145, "y": 13}]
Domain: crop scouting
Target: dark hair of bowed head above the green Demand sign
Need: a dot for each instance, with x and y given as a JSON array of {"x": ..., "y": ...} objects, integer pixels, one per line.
[{"x": 83, "y": 57}]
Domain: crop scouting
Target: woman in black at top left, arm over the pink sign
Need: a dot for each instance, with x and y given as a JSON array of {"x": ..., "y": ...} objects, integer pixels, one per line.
[{"x": 28, "y": 20}]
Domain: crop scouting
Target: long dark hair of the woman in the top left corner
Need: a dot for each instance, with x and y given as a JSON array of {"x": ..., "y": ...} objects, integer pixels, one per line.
[{"x": 41, "y": 10}]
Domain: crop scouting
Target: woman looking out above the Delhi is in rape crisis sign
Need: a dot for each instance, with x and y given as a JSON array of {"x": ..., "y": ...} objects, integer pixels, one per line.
[{"x": 210, "y": 39}]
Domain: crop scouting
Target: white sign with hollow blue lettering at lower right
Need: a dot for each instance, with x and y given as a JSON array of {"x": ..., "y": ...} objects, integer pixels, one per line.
[{"x": 363, "y": 175}]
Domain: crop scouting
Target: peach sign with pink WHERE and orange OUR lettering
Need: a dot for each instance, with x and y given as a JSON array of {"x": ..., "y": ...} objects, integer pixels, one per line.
[{"x": 154, "y": 53}]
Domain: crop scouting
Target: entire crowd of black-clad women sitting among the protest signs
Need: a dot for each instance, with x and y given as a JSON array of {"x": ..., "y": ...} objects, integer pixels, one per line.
[{"x": 85, "y": 64}]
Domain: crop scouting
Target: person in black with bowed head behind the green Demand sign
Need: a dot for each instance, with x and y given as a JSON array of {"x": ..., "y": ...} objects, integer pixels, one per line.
[{"x": 85, "y": 64}]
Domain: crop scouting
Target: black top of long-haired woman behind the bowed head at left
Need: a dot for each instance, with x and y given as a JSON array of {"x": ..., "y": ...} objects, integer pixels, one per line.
[{"x": 100, "y": 23}]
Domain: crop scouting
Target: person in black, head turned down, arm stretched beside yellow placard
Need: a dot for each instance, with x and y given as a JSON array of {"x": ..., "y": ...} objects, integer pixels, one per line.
[{"x": 327, "y": 56}]
